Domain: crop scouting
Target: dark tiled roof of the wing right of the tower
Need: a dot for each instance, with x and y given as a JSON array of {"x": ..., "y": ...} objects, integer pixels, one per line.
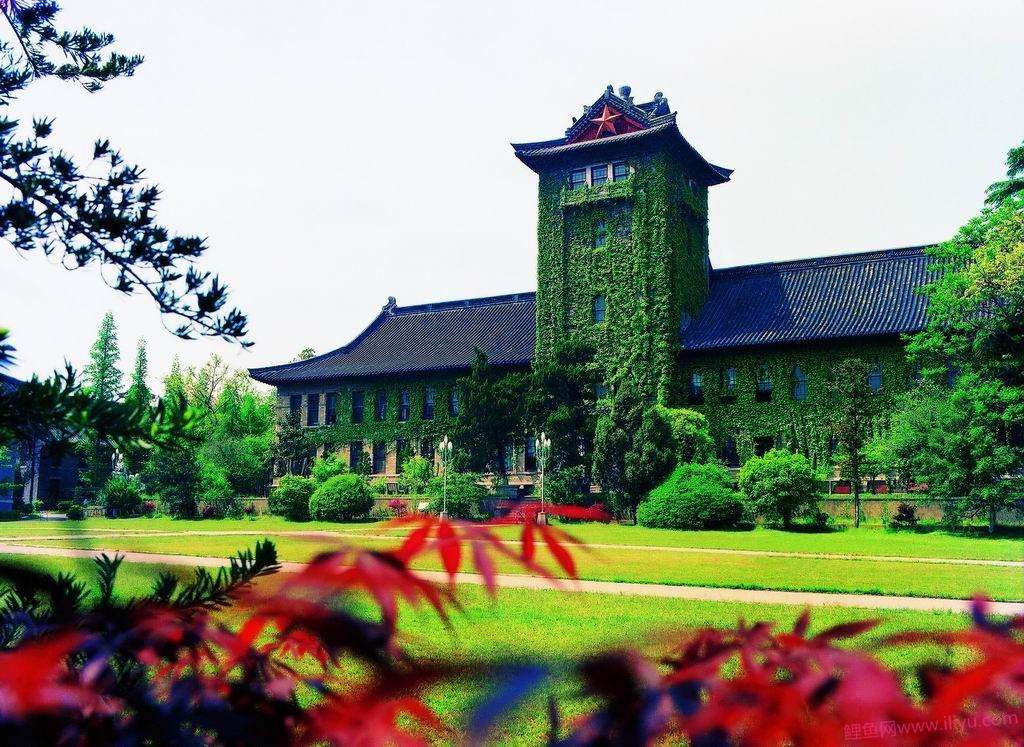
[{"x": 848, "y": 296}]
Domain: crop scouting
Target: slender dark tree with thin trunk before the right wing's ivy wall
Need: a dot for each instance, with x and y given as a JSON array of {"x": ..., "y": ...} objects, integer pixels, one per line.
[{"x": 857, "y": 408}]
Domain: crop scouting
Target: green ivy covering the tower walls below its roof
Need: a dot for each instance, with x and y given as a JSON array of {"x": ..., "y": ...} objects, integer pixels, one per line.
[{"x": 651, "y": 268}]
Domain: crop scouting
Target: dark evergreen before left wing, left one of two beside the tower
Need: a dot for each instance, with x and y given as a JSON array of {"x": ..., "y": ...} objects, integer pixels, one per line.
[{"x": 491, "y": 416}]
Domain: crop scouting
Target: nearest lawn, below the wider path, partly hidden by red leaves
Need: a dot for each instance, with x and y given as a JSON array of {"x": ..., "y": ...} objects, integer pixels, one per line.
[{"x": 558, "y": 627}]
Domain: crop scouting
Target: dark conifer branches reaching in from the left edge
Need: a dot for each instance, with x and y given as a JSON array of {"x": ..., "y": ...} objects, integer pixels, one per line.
[{"x": 102, "y": 216}]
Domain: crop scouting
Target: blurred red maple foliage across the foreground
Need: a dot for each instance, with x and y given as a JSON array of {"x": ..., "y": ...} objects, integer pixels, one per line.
[{"x": 168, "y": 671}]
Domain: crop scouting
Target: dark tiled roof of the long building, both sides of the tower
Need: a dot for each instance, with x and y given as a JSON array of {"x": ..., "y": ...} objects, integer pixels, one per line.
[{"x": 844, "y": 297}]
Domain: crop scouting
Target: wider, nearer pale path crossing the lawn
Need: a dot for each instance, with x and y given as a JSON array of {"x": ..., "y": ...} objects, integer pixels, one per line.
[{"x": 708, "y": 594}]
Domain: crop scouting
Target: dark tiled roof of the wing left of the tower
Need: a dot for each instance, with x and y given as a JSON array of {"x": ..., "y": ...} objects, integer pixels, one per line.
[{"x": 422, "y": 339}]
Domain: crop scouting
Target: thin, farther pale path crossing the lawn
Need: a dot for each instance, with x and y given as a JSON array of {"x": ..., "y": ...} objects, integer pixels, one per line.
[{"x": 328, "y": 535}]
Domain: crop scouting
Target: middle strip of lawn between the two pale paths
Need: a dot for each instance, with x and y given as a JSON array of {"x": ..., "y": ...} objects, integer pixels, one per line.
[{"x": 655, "y": 566}]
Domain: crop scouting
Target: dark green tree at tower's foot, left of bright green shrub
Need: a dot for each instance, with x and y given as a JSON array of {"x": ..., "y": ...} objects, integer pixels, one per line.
[{"x": 633, "y": 449}]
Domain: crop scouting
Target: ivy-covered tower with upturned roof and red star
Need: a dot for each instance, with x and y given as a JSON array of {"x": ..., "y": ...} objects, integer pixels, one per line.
[{"x": 622, "y": 237}]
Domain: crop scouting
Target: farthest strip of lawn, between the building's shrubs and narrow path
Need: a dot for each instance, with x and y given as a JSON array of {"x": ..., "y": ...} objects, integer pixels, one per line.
[{"x": 865, "y": 542}]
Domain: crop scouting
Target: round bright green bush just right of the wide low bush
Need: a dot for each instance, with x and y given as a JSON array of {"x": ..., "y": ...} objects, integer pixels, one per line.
[{"x": 780, "y": 487}]
